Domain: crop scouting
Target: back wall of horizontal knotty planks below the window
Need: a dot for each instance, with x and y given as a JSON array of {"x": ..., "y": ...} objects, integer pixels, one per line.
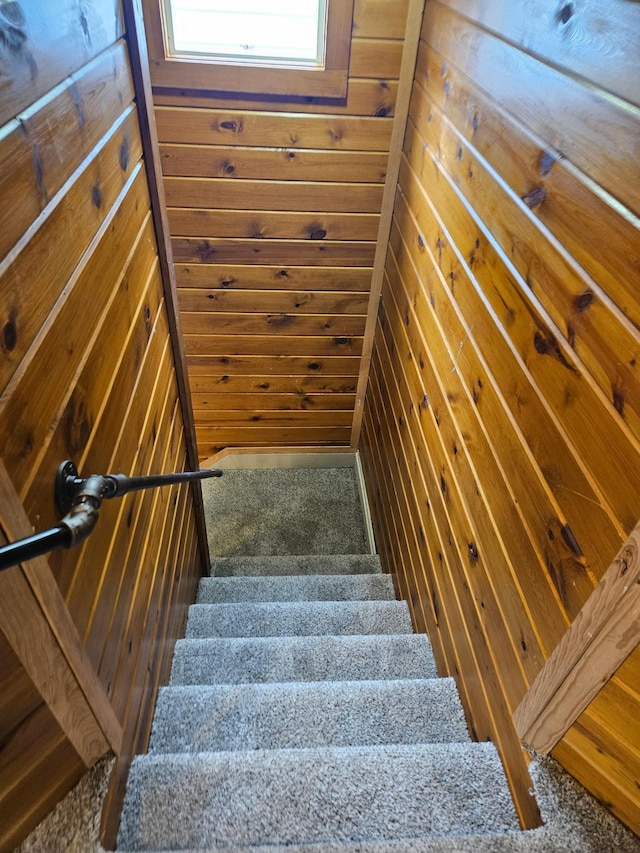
[{"x": 274, "y": 210}]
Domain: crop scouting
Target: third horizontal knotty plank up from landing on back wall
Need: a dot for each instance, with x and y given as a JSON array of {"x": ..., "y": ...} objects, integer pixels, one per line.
[{"x": 219, "y": 403}]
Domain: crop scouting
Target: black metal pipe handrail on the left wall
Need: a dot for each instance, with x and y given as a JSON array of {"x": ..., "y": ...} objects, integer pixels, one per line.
[{"x": 80, "y": 499}]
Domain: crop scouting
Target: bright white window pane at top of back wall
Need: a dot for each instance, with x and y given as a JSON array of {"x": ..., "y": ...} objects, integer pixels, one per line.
[{"x": 248, "y": 31}]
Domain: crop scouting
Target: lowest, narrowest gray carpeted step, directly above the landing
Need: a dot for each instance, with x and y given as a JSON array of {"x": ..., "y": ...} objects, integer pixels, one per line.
[{"x": 336, "y": 564}]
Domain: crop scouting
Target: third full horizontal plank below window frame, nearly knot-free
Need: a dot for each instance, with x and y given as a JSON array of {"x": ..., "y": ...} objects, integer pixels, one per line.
[{"x": 223, "y": 193}]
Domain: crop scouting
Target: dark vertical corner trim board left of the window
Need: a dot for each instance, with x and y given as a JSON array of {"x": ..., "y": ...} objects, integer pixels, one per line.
[{"x": 132, "y": 13}]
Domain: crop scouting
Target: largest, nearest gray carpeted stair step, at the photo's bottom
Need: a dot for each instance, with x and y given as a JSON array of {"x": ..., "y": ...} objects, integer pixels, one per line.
[{"x": 316, "y": 795}]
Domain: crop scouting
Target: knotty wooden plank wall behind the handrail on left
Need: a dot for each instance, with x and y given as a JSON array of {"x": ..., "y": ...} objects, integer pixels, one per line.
[{"x": 86, "y": 373}]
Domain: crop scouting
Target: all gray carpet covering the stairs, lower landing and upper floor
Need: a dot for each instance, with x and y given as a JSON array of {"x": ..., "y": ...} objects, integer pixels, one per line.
[{"x": 302, "y": 714}]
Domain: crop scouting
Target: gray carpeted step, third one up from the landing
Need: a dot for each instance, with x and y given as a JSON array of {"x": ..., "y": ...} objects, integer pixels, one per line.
[{"x": 298, "y": 618}]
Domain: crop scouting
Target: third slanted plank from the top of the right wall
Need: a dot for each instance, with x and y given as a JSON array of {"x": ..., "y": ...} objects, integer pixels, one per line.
[{"x": 594, "y": 230}]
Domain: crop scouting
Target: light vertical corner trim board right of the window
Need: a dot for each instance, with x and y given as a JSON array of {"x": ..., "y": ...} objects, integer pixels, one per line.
[{"x": 405, "y": 88}]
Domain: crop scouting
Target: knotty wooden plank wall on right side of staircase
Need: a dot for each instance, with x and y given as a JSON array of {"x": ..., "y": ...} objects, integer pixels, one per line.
[{"x": 501, "y": 438}]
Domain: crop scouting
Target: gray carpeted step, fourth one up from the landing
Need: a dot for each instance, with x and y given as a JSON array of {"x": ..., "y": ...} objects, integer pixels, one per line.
[{"x": 321, "y": 658}]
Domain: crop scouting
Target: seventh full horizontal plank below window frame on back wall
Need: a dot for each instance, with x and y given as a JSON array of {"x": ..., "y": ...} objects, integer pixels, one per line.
[{"x": 271, "y": 301}]
